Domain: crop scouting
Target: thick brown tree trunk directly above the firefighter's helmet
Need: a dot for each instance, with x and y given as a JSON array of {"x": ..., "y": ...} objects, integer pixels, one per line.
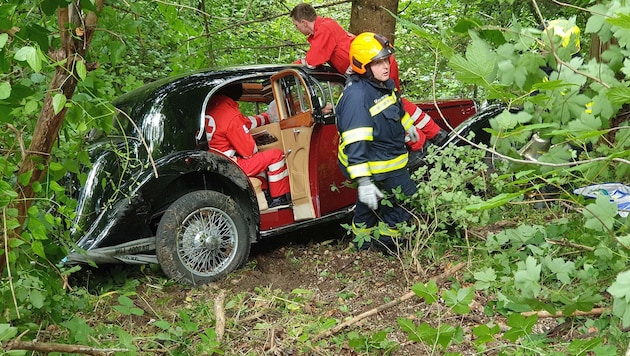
[{"x": 373, "y": 16}]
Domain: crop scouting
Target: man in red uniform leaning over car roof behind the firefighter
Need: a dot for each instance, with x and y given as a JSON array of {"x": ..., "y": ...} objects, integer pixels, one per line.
[{"x": 330, "y": 43}]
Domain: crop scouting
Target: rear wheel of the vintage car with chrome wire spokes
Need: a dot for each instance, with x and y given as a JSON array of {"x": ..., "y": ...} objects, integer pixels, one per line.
[{"x": 202, "y": 237}]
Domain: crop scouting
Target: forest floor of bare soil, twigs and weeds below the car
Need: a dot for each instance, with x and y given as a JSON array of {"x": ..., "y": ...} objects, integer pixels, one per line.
[{"x": 283, "y": 300}]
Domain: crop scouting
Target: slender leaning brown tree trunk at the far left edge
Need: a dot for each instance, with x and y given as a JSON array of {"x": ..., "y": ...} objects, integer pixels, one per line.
[{"x": 73, "y": 47}]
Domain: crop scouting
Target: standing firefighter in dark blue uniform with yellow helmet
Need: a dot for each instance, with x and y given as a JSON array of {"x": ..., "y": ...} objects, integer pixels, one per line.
[{"x": 372, "y": 125}]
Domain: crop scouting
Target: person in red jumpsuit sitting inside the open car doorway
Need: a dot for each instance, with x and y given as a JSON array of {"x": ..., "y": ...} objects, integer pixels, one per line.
[{"x": 227, "y": 131}]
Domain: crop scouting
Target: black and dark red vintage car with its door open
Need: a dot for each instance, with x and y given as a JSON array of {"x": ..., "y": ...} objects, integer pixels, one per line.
[{"x": 155, "y": 193}]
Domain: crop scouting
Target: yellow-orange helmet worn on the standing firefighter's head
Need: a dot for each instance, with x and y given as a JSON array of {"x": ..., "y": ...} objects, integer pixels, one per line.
[{"x": 366, "y": 48}]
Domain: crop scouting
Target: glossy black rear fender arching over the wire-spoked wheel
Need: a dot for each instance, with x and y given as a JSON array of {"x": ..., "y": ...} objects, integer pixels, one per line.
[{"x": 136, "y": 216}]
